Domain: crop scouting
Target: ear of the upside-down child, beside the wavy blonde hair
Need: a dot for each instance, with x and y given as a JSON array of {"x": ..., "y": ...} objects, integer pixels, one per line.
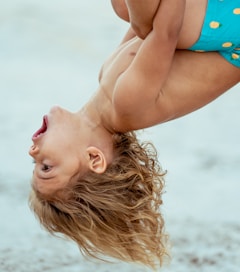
[{"x": 97, "y": 160}]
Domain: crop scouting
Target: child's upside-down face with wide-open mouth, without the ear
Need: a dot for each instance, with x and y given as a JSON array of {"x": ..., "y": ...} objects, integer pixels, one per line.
[{"x": 56, "y": 151}]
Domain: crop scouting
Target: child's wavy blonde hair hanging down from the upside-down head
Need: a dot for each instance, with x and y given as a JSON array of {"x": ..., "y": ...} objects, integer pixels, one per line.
[{"x": 116, "y": 213}]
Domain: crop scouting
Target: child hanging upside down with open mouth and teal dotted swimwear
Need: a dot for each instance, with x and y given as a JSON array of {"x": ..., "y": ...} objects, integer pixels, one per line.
[{"x": 93, "y": 181}]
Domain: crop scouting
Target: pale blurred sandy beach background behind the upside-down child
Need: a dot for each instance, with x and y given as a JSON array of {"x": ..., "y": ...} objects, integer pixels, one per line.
[{"x": 50, "y": 54}]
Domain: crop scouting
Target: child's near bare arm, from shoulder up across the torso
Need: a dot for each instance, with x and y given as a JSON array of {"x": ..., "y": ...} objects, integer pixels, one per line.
[{"x": 141, "y": 83}]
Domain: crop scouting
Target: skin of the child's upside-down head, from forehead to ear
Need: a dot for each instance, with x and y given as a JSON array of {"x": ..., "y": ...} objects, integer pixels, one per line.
[{"x": 58, "y": 156}]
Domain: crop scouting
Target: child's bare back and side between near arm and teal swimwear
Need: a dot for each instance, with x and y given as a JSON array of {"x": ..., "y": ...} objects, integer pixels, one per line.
[{"x": 195, "y": 79}]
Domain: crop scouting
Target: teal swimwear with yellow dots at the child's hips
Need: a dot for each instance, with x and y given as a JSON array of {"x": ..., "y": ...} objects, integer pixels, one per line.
[{"x": 221, "y": 30}]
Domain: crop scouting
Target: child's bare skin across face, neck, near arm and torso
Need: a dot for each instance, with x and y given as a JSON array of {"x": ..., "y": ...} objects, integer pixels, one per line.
[{"x": 142, "y": 84}]
